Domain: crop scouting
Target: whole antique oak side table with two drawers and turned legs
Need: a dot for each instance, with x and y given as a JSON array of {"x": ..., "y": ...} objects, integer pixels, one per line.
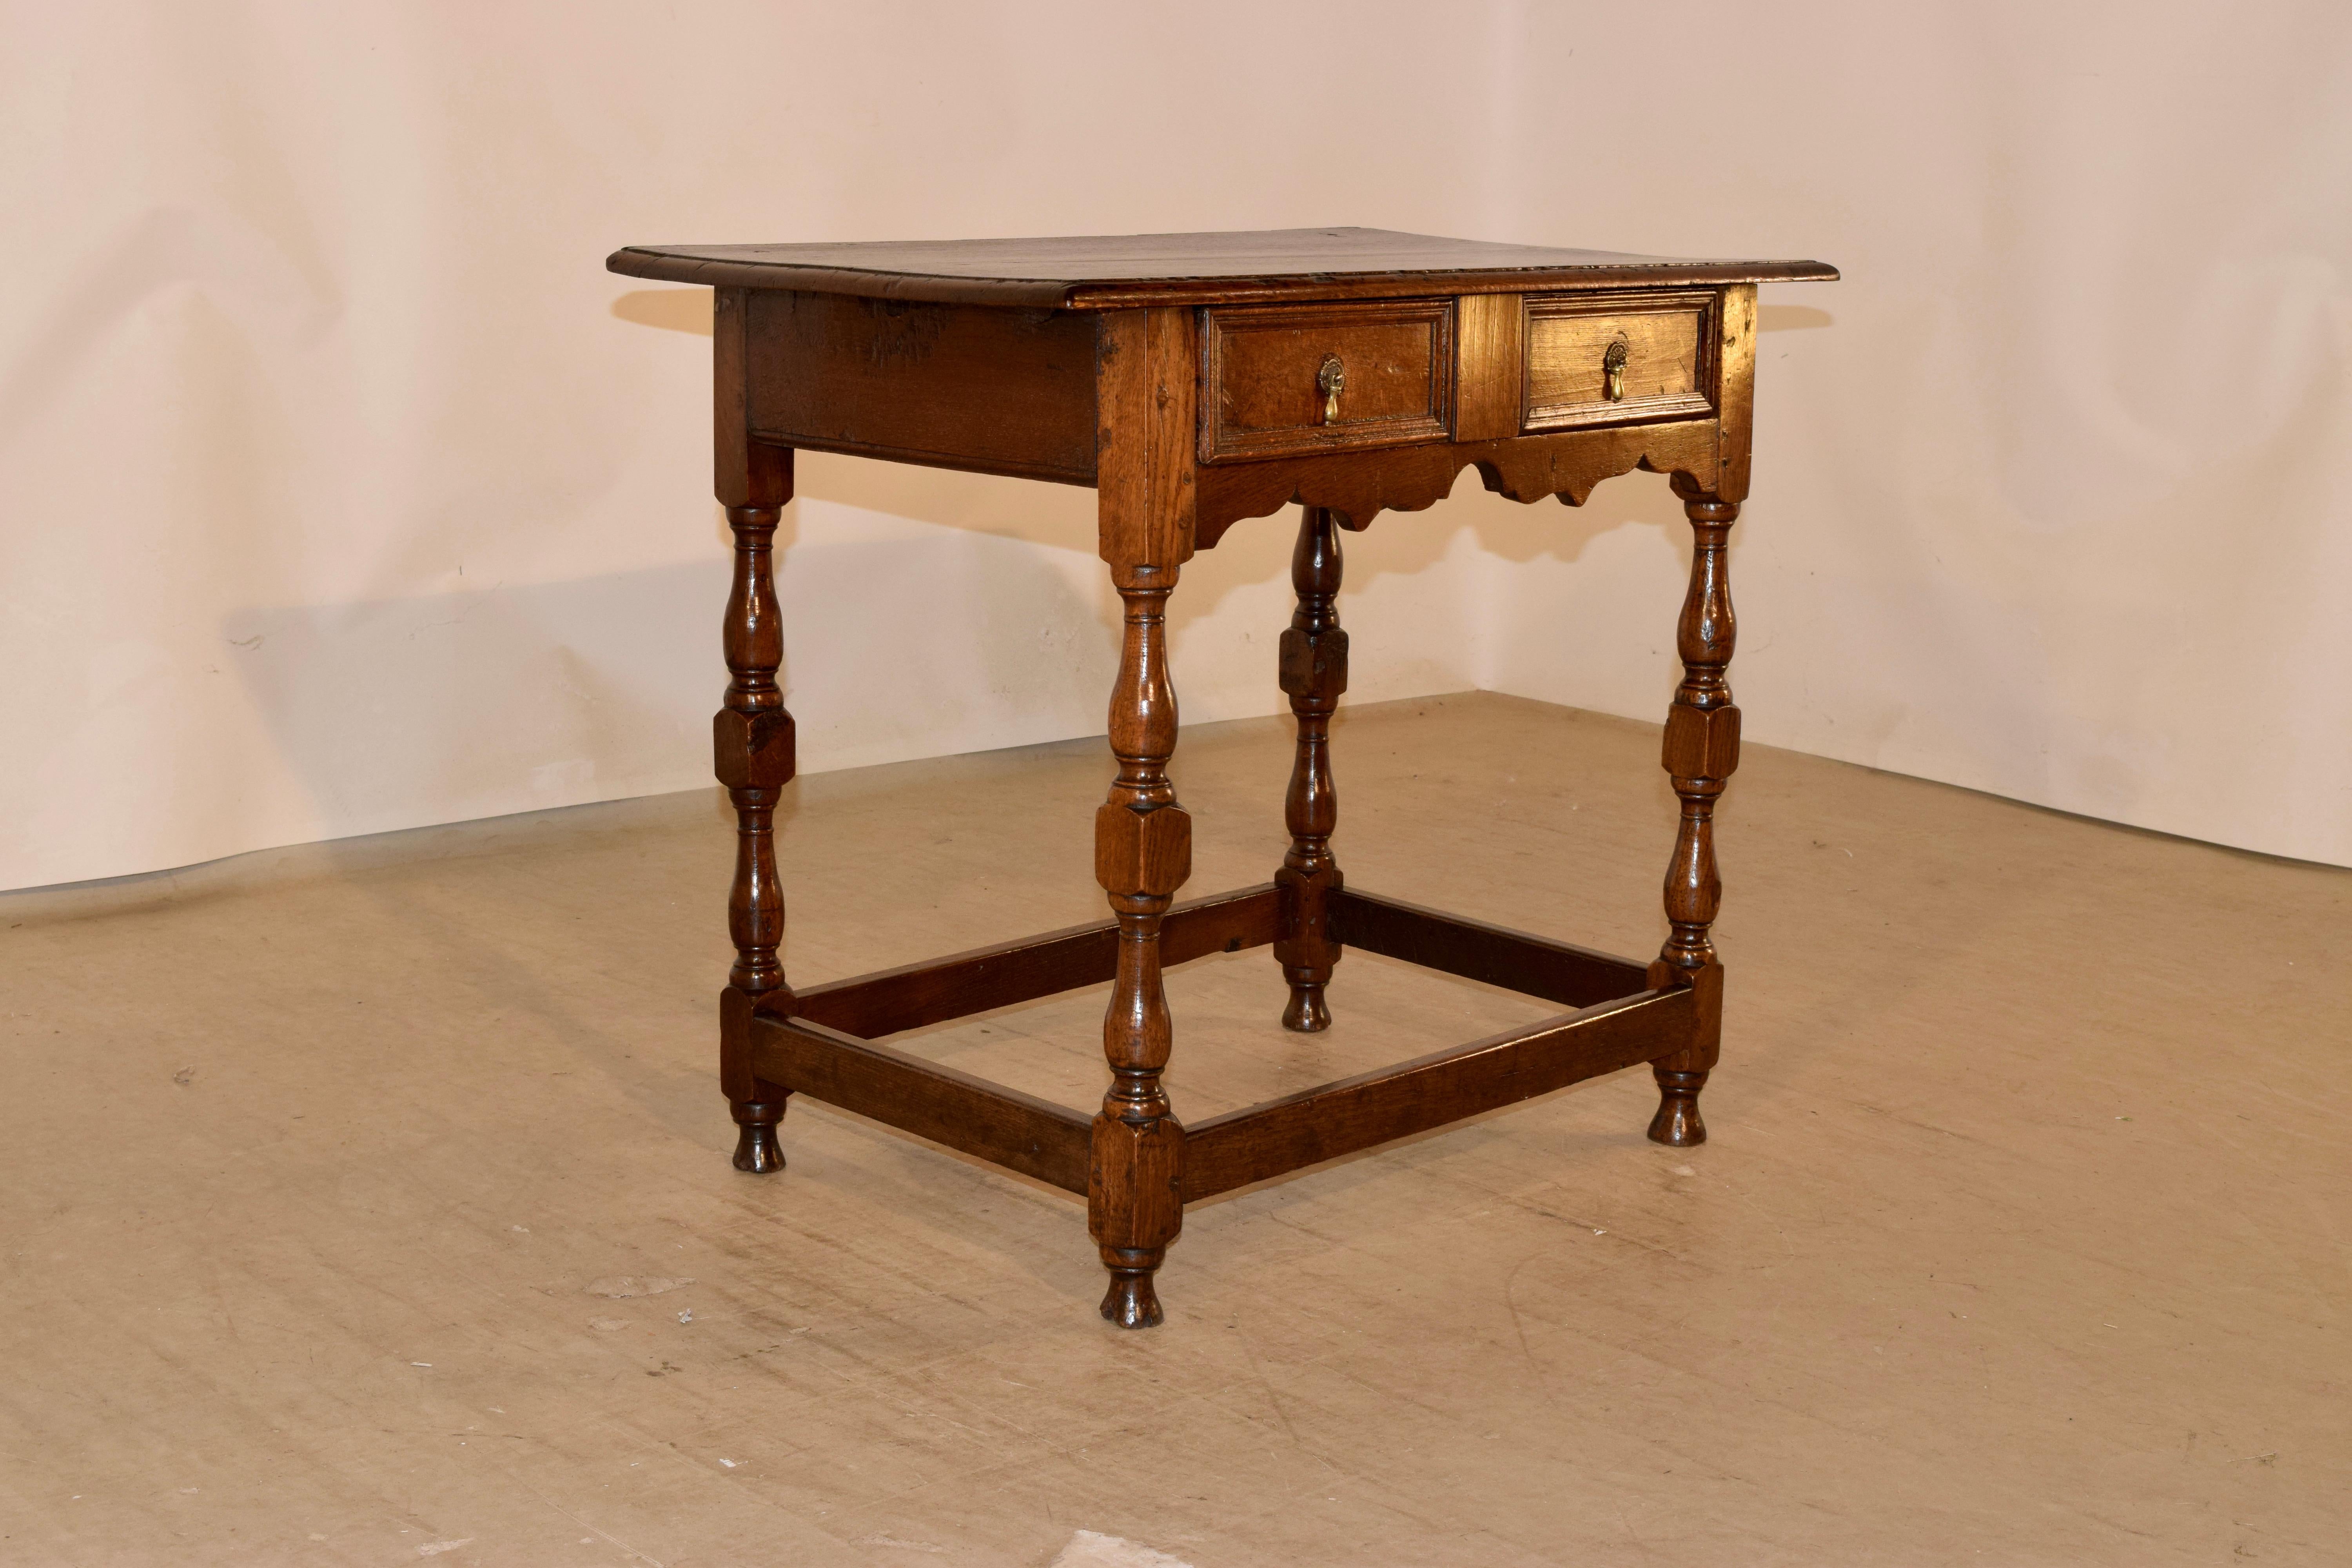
[{"x": 1196, "y": 382}]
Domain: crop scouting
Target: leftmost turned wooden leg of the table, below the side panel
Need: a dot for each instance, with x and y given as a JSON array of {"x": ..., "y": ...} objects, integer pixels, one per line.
[{"x": 754, "y": 758}]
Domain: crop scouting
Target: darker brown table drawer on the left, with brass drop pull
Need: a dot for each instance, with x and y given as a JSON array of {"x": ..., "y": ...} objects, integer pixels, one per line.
[{"x": 1288, "y": 380}]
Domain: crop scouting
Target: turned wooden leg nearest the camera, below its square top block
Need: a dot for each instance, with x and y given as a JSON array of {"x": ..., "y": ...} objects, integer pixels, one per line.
[{"x": 1142, "y": 857}]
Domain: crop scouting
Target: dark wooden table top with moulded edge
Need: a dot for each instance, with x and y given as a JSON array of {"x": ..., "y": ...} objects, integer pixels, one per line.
[{"x": 1128, "y": 272}]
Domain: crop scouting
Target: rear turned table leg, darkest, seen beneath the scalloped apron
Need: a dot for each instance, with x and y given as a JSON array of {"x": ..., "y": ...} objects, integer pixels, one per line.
[{"x": 1314, "y": 676}]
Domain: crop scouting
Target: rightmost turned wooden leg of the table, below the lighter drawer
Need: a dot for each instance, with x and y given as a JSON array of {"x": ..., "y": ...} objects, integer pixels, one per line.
[{"x": 1702, "y": 751}]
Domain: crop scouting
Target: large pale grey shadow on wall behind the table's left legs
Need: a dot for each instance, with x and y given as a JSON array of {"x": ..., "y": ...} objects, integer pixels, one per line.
[{"x": 547, "y": 695}]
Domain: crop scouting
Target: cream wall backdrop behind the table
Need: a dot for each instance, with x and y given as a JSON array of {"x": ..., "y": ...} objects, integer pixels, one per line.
[{"x": 347, "y": 492}]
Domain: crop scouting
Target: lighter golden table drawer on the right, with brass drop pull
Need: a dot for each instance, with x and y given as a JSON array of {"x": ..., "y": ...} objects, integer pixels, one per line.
[{"x": 1659, "y": 347}]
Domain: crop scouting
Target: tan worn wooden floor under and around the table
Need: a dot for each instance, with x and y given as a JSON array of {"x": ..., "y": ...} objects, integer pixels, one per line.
[{"x": 370, "y": 1205}]
